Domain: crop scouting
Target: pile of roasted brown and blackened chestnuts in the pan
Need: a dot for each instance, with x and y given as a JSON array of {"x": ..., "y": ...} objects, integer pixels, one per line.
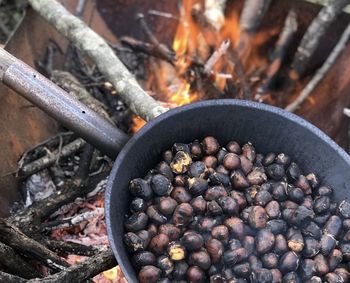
[{"x": 212, "y": 214}]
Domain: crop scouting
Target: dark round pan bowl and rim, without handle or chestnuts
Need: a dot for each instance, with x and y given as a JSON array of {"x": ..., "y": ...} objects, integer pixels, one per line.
[{"x": 268, "y": 128}]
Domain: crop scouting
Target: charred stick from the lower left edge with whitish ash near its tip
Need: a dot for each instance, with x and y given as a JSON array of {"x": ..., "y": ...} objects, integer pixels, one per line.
[{"x": 13, "y": 237}]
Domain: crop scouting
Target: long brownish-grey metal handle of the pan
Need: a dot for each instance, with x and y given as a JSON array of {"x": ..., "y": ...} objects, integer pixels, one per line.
[{"x": 60, "y": 105}]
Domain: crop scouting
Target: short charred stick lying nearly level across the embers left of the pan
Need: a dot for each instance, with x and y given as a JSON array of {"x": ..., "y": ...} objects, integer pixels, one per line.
[{"x": 71, "y": 248}]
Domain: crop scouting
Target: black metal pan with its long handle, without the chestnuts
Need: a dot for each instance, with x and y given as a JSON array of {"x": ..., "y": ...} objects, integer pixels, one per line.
[{"x": 268, "y": 128}]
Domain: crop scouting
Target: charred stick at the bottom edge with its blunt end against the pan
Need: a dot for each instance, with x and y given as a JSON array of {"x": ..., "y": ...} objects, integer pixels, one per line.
[{"x": 83, "y": 270}]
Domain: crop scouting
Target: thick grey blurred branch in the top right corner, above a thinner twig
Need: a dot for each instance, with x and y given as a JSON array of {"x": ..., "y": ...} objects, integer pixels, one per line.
[{"x": 313, "y": 35}]
